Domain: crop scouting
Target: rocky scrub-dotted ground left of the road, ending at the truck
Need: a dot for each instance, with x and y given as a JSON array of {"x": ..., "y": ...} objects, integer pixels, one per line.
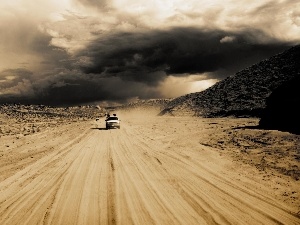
[{"x": 16, "y": 119}]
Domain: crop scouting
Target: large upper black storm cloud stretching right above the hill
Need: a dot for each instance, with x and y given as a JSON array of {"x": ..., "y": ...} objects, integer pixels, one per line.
[{"x": 177, "y": 52}]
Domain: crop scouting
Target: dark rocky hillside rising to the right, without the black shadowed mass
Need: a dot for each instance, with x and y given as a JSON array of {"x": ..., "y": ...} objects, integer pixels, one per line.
[{"x": 243, "y": 94}]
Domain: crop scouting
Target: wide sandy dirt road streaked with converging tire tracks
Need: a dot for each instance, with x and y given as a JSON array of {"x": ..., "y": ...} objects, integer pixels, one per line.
[{"x": 81, "y": 173}]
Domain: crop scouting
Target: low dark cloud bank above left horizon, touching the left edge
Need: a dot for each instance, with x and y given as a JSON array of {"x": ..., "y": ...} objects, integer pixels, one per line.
[{"x": 68, "y": 88}]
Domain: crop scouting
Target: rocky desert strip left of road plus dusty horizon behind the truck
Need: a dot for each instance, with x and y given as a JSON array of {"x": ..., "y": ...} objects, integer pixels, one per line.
[{"x": 17, "y": 119}]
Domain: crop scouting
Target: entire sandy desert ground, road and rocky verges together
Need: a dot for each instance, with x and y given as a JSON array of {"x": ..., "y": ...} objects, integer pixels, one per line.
[{"x": 154, "y": 170}]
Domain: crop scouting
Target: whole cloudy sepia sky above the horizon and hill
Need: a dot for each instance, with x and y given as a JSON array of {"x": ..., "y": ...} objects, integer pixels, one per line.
[{"x": 72, "y": 52}]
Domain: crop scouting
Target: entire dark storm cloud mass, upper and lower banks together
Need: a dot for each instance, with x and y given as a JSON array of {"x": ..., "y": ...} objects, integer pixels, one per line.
[{"x": 123, "y": 66}]
